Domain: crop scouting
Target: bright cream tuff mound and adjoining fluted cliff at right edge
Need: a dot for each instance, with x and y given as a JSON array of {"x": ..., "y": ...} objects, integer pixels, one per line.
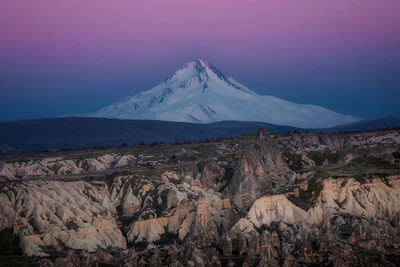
[{"x": 367, "y": 200}]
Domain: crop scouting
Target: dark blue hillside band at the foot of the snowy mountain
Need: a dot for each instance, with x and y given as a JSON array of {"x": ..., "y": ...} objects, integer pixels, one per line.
[{"x": 74, "y": 133}]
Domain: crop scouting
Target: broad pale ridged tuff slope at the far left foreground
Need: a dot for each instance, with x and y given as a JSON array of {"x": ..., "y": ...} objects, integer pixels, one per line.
[{"x": 77, "y": 218}]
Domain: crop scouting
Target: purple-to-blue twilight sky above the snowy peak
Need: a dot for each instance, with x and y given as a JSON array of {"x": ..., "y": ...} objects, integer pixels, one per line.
[{"x": 59, "y": 57}]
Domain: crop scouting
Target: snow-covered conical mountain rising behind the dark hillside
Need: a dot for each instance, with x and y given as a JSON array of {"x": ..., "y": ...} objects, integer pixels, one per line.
[{"x": 198, "y": 92}]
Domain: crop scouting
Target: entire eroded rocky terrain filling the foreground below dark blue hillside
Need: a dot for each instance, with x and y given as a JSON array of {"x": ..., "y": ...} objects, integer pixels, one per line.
[{"x": 241, "y": 202}]
